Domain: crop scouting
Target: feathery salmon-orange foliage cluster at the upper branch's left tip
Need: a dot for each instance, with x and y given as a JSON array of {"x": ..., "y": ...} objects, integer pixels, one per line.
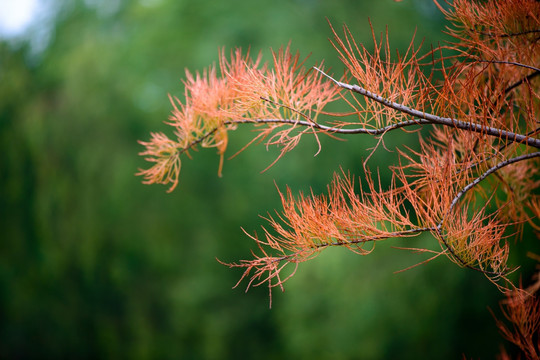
[{"x": 246, "y": 91}]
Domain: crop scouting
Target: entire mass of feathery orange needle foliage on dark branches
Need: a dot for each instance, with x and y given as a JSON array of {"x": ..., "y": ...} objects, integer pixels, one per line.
[{"x": 473, "y": 184}]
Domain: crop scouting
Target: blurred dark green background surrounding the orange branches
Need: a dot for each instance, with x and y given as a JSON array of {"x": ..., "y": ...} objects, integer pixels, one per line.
[{"x": 93, "y": 264}]
